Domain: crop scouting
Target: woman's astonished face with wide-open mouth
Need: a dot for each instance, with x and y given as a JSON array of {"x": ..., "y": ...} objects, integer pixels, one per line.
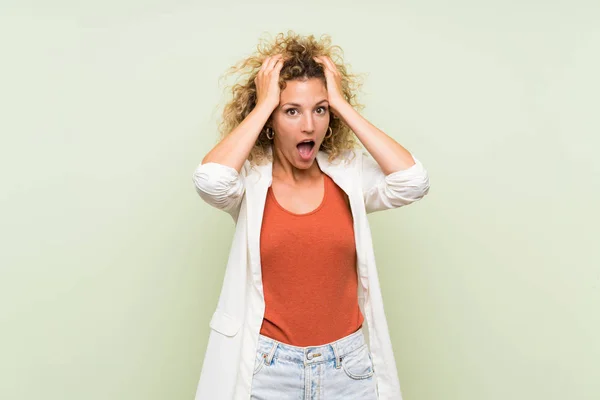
[{"x": 300, "y": 121}]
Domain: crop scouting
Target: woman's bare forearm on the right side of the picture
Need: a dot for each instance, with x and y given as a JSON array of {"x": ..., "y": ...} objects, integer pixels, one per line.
[{"x": 388, "y": 153}]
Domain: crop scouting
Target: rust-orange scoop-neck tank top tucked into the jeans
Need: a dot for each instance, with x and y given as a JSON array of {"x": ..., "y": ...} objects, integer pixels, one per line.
[{"x": 309, "y": 271}]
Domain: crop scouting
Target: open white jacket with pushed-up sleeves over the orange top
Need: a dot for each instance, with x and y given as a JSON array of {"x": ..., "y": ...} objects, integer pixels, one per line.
[{"x": 235, "y": 325}]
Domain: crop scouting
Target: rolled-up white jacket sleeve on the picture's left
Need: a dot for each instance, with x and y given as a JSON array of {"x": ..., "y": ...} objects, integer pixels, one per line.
[{"x": 220, "y": 186}]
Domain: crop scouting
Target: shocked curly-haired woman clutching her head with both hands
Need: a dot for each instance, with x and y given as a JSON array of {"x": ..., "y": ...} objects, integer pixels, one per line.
[{"x": 300, "y": 315}]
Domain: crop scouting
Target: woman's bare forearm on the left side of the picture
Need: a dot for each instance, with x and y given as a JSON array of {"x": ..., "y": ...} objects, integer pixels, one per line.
[{"x": 235, "y": 148}]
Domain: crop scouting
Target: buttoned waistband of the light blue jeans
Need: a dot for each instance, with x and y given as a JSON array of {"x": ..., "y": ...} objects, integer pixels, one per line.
[{"x": 271, "y": 348}]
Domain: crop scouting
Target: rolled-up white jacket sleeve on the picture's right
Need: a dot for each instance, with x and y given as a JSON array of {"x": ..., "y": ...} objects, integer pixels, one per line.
[{"x": 395, "y": 190}]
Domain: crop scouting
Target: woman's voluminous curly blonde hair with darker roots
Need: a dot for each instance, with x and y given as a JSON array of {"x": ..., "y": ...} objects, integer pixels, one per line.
[{"x": 298, "y": 51}]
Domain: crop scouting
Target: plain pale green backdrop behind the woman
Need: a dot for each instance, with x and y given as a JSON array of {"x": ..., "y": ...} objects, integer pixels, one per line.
[{"x": 111, "y": 264}]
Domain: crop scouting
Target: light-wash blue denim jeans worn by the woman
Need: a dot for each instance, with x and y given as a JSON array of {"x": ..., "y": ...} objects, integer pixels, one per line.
[{"x": 339, "y": 370}]
